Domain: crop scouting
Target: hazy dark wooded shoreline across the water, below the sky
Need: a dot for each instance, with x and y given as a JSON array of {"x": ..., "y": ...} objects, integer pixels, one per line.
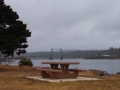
[{"x": 75, "y": 54}]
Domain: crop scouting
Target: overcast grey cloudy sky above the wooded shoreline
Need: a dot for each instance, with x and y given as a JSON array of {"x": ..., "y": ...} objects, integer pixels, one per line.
[{"x": 70, "y": 24}]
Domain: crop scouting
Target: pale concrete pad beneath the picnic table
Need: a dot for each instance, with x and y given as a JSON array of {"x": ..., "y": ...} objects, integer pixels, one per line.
[{"x": 61, "y": 80}]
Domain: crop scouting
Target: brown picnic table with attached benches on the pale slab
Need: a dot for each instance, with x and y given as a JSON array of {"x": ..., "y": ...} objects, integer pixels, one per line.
[{"x": 59, "y": 73}]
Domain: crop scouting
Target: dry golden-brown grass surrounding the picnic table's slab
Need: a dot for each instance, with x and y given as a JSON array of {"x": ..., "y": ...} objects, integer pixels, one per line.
[{"x": 13, "y": 78}]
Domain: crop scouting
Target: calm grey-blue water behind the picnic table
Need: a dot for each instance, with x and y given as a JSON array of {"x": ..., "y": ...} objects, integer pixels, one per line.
[{"x": 110, "y": 66}]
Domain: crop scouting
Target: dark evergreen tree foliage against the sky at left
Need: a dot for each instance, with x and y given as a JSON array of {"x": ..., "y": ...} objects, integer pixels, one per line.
[{"x": 13, "y": 32}]
